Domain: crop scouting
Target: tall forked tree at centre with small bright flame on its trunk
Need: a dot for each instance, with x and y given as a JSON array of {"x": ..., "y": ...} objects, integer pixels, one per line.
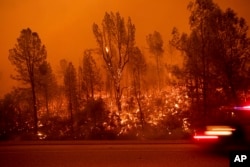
[{"x": 116, "y": 41}]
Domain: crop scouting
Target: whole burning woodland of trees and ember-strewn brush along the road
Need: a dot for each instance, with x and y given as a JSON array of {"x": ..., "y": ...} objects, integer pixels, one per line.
[{"x": 121, "y": 90}]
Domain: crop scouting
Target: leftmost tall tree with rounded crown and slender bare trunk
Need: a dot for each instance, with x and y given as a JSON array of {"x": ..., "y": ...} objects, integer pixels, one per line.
[{"x": 27, "y": 56}]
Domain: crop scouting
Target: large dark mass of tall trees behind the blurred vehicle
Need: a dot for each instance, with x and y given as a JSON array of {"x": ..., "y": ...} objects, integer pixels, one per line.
[{"x": 216, "y": 56}]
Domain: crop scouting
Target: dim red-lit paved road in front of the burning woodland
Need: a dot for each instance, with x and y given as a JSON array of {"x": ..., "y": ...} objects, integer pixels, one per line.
[{"x": 122, "y": 154}]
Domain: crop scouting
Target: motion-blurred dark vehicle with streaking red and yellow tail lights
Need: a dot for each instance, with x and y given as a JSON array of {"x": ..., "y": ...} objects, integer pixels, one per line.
[{"x": 233, "y": 129}]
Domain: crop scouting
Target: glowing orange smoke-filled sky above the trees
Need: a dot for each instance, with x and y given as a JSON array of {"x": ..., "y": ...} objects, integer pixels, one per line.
[{"x": 65, "y": 26}]
